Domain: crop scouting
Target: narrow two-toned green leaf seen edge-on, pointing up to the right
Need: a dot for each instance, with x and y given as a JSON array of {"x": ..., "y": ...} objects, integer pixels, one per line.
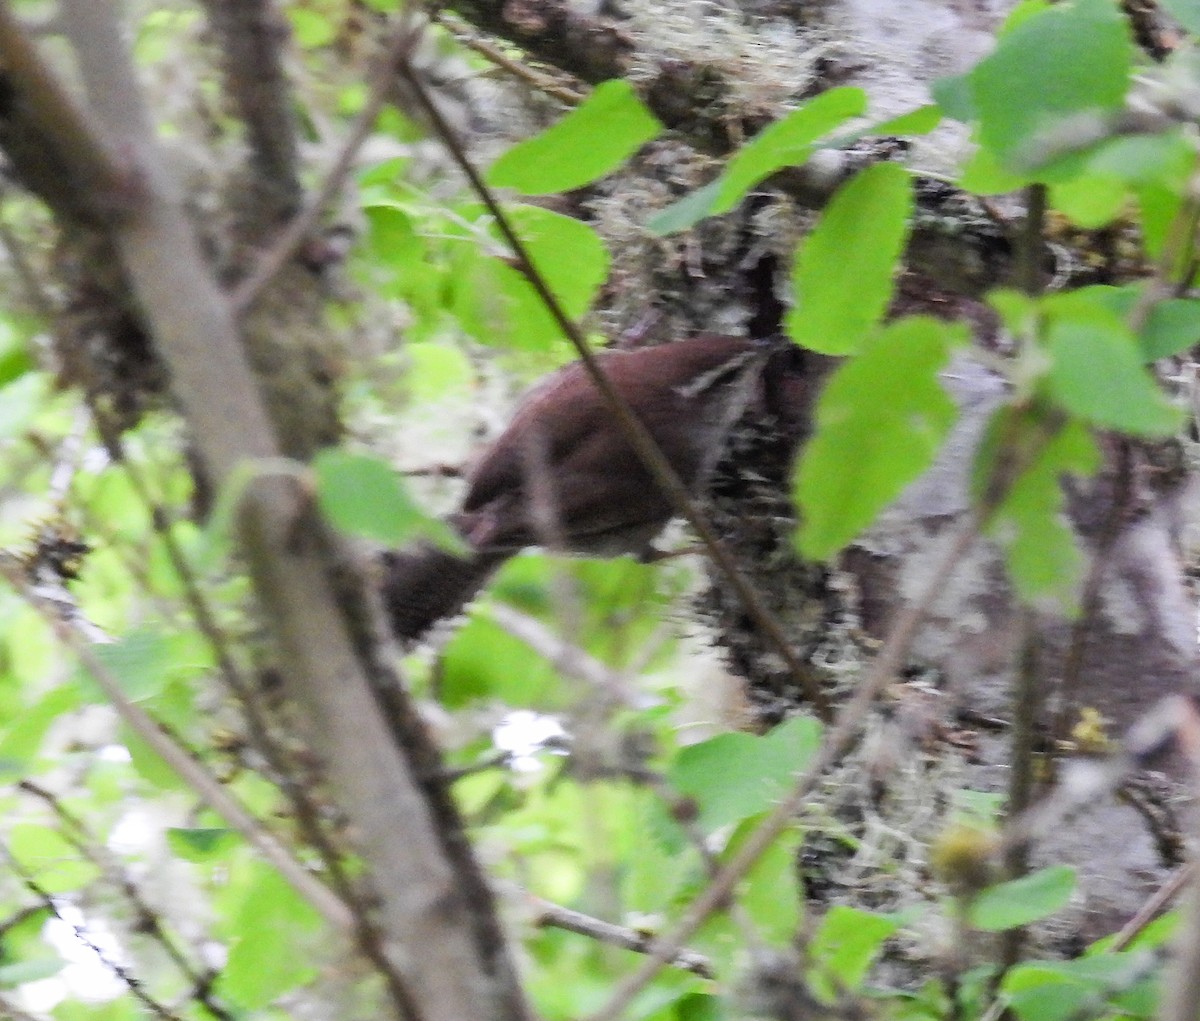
[{"x": 789, "y": 142}]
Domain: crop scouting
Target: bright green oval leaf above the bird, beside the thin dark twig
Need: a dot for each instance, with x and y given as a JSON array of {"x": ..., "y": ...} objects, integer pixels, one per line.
[{"x": 592, "y": 141}]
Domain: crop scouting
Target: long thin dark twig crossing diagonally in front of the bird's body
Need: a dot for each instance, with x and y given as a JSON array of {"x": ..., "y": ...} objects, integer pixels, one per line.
[{"x": 633, "y": 429}]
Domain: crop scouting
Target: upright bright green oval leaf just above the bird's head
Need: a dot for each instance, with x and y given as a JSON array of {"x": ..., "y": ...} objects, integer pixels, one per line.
[{"x": 844, "y": 272}]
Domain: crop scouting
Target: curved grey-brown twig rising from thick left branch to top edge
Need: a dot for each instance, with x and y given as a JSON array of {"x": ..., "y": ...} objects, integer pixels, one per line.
[{"x": 247, "y": 293}]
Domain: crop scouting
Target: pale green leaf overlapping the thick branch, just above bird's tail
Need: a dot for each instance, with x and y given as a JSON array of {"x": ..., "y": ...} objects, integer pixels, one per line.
[{"x": 364, "y": 496}]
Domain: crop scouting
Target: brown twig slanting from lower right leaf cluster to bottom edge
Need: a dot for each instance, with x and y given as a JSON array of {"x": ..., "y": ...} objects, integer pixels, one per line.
[{"x": 838, "y": 743}]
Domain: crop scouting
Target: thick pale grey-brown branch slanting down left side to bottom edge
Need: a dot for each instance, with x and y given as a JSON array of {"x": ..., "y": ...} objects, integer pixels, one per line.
[{"x": 448, "y": 948}]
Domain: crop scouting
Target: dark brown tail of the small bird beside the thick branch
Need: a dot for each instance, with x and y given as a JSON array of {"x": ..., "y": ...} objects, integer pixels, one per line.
[{"x": 425, "y": 585}]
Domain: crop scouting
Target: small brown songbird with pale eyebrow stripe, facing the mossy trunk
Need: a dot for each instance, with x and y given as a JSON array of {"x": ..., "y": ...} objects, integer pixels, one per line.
[{"x": 565, "y": 476}]
